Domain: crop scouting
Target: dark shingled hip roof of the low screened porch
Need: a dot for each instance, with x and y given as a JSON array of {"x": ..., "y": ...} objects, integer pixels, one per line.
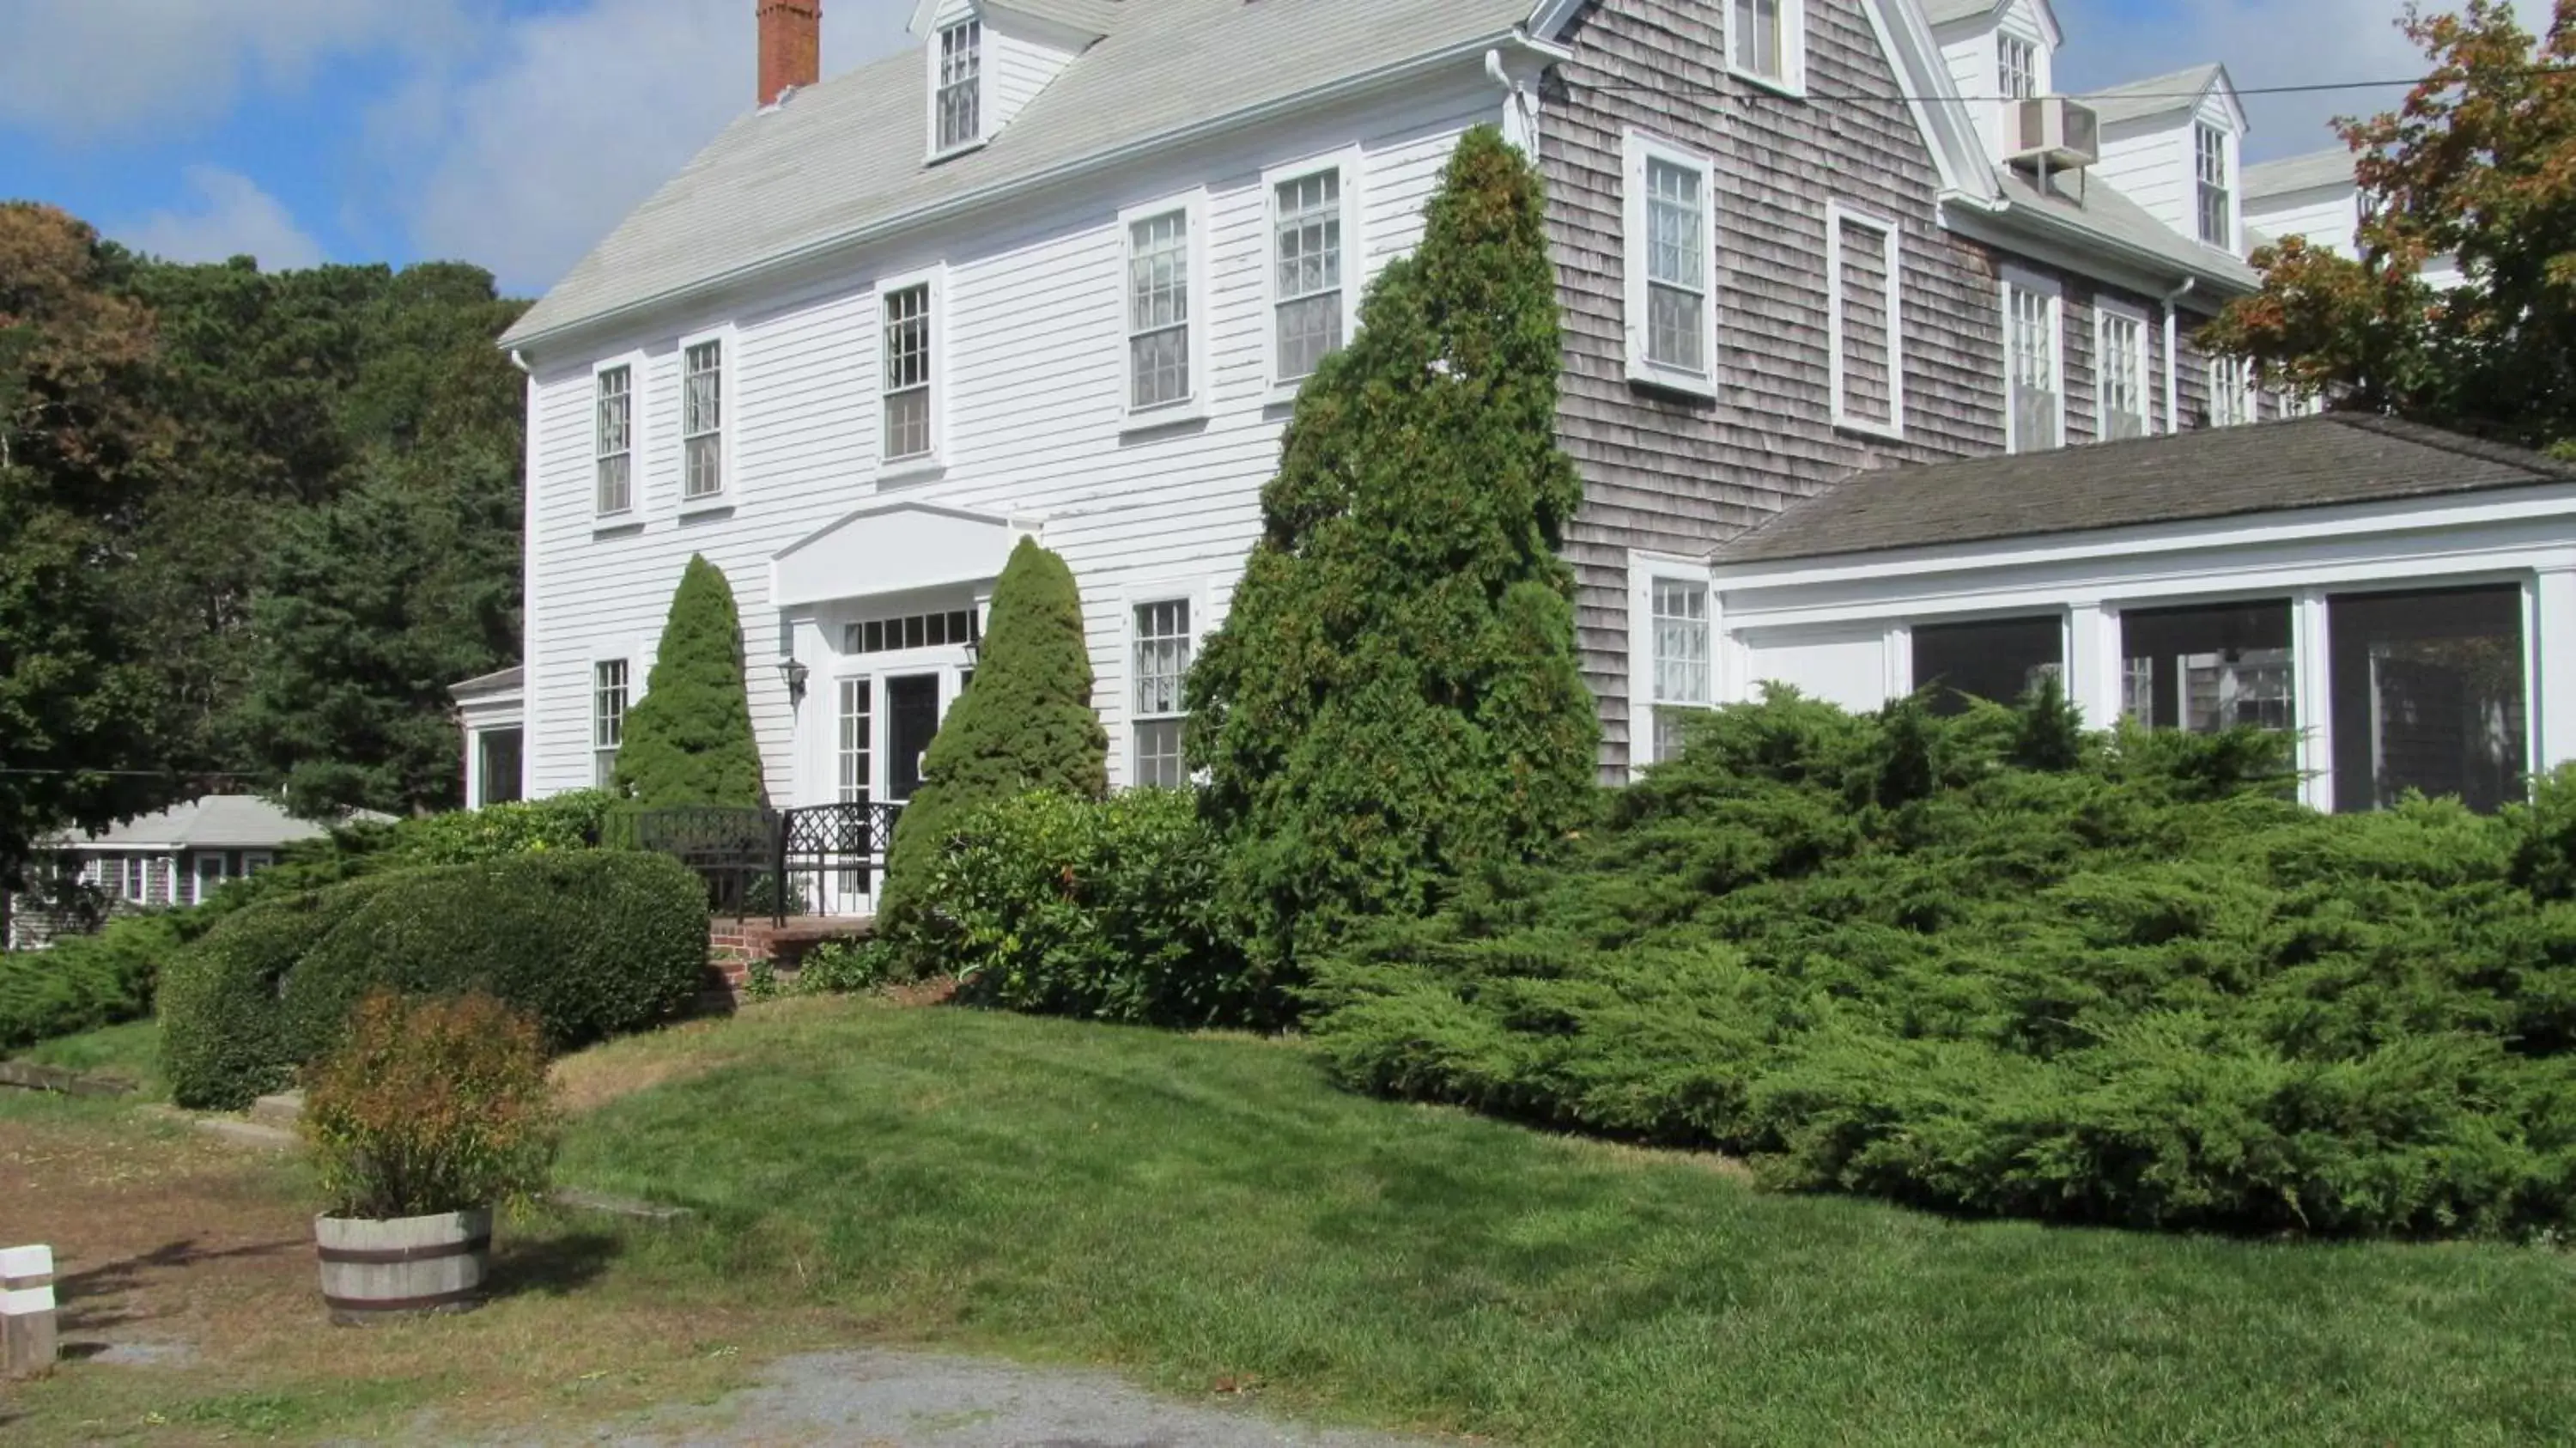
[{"x": 2217, "y": 473}]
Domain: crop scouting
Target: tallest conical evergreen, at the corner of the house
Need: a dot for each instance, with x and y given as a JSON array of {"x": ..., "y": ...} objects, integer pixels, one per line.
[{"x": 1395, "y": 697}]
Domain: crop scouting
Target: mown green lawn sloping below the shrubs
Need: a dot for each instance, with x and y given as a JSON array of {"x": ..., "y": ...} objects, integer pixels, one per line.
[{"x": 1204, "y": 1210}]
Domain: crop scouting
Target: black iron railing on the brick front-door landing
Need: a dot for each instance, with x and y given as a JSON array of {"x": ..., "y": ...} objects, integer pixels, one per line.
[{"x": 779, "y": 862}]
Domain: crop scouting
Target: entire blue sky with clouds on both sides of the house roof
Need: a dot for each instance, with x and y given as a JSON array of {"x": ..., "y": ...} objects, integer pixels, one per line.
[{"x": 516, "y": 133}]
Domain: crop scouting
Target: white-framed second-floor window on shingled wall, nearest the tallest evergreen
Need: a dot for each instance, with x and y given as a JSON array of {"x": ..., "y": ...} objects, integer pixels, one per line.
[{"x": 1671, "y": 267}]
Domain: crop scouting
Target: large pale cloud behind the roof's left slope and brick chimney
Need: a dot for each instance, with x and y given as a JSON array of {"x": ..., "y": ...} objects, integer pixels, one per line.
[{"x": 529, "y": 156}]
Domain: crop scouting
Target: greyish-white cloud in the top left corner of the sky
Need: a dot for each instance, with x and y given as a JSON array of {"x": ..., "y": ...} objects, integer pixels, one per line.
[{"x": 115, "y": 68}]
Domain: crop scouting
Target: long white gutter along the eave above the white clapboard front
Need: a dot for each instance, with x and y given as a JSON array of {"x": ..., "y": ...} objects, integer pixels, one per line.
[{"x": 1387, "y": 76}]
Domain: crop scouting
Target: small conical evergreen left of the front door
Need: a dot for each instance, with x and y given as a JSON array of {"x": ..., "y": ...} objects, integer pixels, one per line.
[{"x": 689, "y": 741}]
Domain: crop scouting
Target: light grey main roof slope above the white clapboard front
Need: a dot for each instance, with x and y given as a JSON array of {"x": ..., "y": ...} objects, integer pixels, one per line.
[{"x": 846, "y": 158}]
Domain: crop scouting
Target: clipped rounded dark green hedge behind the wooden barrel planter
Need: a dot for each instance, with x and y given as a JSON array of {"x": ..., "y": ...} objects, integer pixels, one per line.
[{"x": 589, "y": 942}]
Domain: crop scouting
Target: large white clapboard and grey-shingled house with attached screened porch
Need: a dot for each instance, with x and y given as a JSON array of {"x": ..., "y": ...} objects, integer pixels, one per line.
[{"x": 1060, "y": 267}]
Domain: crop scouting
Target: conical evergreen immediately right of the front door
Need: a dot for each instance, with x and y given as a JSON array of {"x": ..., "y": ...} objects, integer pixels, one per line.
[{"x": 1024, "y": 725}]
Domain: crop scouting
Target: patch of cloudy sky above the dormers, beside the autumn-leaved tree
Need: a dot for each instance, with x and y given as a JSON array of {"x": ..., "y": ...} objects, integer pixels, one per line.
[{"x": 2263, "y": 43}]
